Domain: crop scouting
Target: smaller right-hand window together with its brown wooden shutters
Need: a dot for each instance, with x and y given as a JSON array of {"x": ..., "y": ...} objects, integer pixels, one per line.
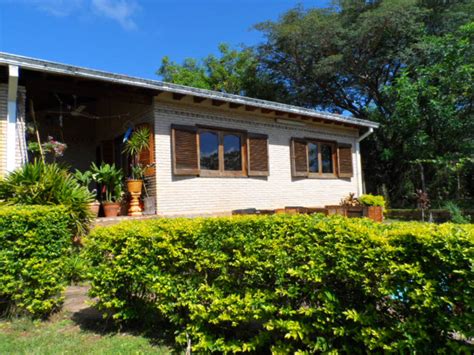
[{"x": 320, "y": 159}]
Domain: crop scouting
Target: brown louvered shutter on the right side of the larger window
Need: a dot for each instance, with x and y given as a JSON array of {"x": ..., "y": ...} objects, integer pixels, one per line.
[{"x": 257, "y": 154}]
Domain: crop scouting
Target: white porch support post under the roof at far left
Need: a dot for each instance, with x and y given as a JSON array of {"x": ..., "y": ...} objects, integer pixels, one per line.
[{"x": 13, "y": 72}]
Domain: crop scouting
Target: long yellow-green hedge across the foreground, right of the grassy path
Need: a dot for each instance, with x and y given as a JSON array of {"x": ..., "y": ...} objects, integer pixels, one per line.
[{"x": 290, "y": 283}]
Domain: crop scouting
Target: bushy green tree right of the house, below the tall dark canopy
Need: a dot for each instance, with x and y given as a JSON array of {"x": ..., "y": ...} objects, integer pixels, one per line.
[{"x": 432, "y": 122}]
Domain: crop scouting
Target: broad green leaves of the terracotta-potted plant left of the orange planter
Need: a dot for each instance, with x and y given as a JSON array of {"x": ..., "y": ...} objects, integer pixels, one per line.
[{"x": 111, "y": 180}]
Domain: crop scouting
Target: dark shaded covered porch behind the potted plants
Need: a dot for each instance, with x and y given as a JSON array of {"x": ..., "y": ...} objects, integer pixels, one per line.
[{"x": 91, "y": 118}]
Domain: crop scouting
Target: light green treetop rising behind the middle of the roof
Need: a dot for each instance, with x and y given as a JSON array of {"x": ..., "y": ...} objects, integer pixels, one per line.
[{"x": 233, "y": 71}]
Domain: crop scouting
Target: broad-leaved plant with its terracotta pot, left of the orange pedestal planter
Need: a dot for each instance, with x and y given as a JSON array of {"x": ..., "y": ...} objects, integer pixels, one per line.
[{"x": 110, "y": 178}]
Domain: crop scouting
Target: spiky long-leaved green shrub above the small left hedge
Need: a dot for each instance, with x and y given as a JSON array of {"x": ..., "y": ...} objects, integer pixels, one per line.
[{"x": 41, "y": 183}]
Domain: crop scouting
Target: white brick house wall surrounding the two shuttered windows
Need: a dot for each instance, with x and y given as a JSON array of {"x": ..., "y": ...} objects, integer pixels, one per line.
[{"x": 200, "y": 195}]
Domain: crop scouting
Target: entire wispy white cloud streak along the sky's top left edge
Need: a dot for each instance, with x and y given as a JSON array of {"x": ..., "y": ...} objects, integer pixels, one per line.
[{"x": 121, "y": 11}]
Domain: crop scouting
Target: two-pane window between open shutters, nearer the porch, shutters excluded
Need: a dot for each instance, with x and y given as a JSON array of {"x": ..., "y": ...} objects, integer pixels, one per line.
[{"x": 220, "y": 153}]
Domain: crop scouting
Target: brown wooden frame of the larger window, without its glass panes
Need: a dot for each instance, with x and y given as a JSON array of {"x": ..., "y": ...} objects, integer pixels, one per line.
[{"x": 221, "y": 172}]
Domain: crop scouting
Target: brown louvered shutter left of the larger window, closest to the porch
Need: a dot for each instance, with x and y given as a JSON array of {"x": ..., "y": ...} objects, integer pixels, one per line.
[{"x": 184, "y": 140}]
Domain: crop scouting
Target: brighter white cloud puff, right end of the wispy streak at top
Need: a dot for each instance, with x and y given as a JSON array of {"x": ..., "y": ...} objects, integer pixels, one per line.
[{"x": 121, "y": 11}]
